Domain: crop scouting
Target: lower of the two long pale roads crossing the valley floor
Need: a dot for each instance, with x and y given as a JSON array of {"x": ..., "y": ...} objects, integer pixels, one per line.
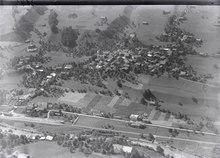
[{"x": 133, "y": 134}]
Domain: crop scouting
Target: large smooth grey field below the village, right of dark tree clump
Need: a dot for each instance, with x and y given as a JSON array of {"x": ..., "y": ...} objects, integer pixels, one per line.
[{"x": 173, "y": 91}]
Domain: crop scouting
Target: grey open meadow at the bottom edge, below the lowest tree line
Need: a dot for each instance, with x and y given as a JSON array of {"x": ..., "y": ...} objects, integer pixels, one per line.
[{"x": 53, "y": 151}]
